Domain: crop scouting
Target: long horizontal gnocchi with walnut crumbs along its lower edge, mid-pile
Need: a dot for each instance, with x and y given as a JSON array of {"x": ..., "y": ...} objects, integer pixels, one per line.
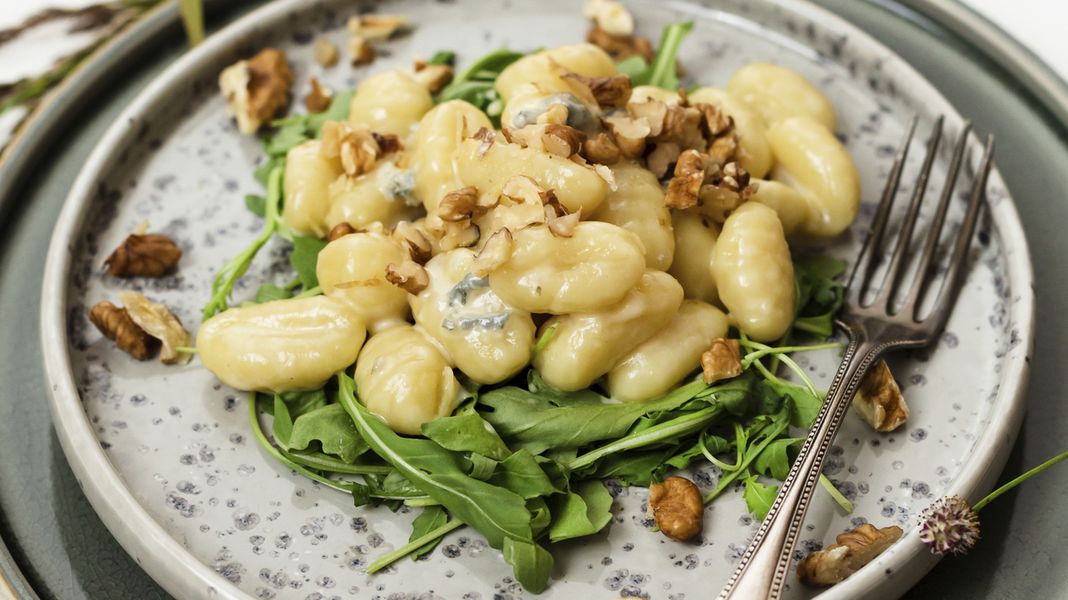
[{"x": 577, "y": 187}]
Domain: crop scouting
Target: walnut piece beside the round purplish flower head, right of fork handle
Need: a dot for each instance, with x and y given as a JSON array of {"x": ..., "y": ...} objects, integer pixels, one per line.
[{"x": 853, "y": 551}]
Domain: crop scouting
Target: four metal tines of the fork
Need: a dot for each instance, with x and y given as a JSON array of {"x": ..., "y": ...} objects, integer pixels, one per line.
[{"x": 889, "y": 289}]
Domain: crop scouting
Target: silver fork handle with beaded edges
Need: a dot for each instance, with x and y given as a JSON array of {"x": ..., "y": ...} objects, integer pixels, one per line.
[{"x": 763, "y": 570}]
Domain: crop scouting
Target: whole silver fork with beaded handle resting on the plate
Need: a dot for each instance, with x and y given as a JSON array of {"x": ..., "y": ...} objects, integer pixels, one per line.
[{"x": 873, "y": 328}]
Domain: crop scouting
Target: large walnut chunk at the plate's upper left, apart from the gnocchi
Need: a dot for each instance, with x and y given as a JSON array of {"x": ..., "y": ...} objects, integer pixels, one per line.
[{"x": 257, "y": 89}]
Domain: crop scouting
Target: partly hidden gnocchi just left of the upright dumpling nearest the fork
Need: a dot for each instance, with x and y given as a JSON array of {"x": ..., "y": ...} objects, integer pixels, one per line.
[{"x": 696, "y": 250}]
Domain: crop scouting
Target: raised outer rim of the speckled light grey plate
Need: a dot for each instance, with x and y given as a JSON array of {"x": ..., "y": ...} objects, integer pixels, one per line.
[{"x": 170, "y": 564}]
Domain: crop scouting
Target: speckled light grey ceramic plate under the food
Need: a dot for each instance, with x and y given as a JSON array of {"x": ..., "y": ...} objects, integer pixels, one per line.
[{"x": 165, "y": 453}]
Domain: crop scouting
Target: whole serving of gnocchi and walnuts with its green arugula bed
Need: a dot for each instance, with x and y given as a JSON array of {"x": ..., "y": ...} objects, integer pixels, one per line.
[{"x": 509, "y": 282}]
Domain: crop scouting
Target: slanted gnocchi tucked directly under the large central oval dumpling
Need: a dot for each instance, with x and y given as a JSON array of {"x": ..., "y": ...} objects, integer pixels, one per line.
[{"x": 585, "y": 346}]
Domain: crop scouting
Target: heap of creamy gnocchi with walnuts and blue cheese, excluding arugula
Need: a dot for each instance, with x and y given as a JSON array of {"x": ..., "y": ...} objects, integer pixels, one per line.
[{"x": 514, "y": 235}]
